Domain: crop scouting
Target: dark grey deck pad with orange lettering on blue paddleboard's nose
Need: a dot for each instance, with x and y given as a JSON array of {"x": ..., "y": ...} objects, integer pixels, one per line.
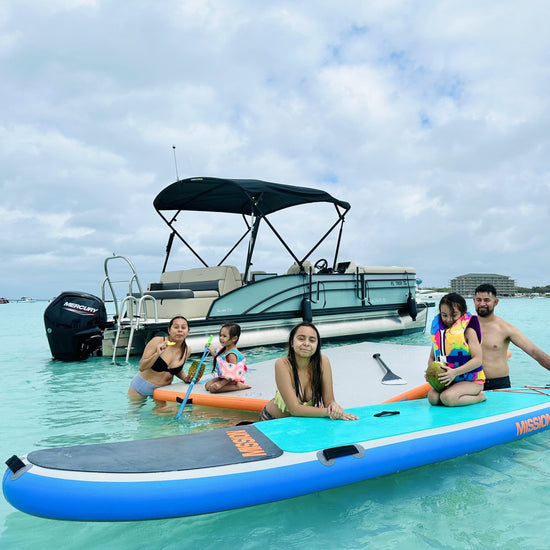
[{"x": 209, "y": 449}]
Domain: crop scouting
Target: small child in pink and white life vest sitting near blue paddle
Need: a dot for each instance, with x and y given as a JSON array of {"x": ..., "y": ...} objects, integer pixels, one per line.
[{"x": 229, "y": 362}]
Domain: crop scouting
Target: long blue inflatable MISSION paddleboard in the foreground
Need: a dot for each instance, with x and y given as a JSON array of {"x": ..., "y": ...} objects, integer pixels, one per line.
[{"x": 247, "y": 465}]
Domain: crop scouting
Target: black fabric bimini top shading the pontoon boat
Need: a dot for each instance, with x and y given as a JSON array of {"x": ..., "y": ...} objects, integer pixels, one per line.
[{"x": 238, "y": 196}]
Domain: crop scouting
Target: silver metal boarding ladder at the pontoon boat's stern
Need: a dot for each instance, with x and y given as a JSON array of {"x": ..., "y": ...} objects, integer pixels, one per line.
[{"x": 131, "y": 311}]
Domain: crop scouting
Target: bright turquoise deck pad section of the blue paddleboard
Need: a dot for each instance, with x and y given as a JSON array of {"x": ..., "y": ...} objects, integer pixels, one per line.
[{"x": 300, "y": 434}]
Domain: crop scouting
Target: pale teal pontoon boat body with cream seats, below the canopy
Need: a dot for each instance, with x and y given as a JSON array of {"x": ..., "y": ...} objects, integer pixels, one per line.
[{"x": 378, "y": 301}]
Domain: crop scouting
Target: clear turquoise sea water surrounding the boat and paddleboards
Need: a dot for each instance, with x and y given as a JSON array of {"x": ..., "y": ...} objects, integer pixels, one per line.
[{"x": 497, "y": 498}]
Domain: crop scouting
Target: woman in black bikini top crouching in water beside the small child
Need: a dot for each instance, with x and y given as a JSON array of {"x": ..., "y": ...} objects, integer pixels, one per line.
[{"x": 162, "y": 359}]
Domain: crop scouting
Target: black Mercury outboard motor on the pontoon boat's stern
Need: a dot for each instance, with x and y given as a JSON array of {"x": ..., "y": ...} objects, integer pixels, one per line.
[{"x": 74, "y": 325}]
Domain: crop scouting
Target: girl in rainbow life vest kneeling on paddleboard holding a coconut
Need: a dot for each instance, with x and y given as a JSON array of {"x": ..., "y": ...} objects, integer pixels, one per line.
[{"x": 456, "y": 342}]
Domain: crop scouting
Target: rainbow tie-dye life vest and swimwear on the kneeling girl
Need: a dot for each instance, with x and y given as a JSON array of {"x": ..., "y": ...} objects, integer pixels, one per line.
[{"x": 450, "y": 345}]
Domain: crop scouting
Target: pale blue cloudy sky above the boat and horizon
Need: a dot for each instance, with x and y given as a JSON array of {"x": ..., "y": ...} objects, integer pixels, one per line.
[{"x": 431, "y": 118}]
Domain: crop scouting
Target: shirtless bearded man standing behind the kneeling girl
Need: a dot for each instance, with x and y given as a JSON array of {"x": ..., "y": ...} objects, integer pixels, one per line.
[{"x": 496, "y": 335}]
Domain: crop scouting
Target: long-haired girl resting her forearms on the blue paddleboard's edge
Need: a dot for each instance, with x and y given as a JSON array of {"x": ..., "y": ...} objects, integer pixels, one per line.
[{"x": 304, "y": 380}]
